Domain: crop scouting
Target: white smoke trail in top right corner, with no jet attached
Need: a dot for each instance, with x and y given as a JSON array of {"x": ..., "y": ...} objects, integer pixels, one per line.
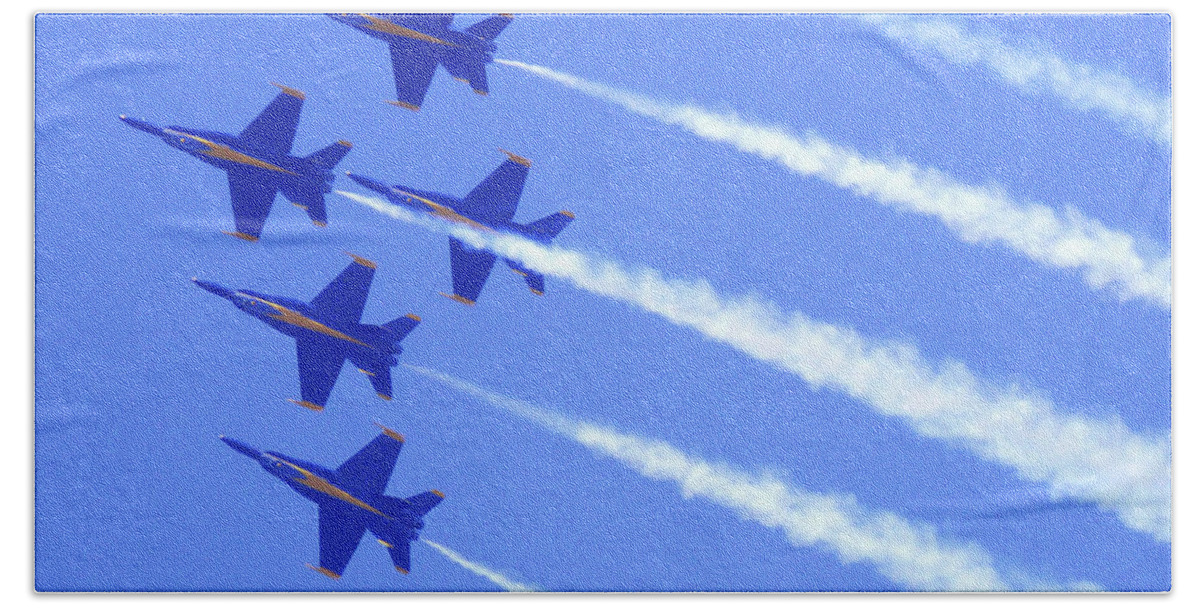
[{"x": 1082, "y": 87}]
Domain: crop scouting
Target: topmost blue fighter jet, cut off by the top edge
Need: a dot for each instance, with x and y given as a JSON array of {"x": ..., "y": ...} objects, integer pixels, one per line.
[{"x": 419, "y": 43}]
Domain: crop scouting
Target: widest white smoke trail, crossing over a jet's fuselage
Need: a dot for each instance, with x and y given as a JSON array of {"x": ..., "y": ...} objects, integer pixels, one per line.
[{"x": 1100, "y": 461}]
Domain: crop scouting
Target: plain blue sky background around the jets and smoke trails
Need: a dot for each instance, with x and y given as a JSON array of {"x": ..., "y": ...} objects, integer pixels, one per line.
[{"x": 139, "y": 372}]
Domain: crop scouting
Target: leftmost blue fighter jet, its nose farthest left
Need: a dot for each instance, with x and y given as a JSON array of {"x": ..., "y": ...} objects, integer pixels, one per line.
[{"x": 260, "y": 162}]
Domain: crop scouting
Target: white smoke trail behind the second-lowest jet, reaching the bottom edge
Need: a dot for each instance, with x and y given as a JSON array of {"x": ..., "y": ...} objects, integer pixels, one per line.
[{"x": 907, "y": 552}]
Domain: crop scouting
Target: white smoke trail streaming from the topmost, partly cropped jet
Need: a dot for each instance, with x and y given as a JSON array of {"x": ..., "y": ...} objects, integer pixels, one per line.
[{"x": 1066, "y": 240}]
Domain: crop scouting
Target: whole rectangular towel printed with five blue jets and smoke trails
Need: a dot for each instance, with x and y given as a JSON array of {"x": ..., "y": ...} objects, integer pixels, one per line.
[{"x": 603, "y": 303}]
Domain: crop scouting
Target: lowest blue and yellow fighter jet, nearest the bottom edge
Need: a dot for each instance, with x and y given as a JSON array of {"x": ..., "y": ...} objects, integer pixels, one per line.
[{"x": 351, "y": 501}]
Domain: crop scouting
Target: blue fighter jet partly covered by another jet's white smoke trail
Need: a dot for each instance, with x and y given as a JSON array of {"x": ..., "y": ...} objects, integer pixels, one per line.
[{"x": 489, "y": 208}]
